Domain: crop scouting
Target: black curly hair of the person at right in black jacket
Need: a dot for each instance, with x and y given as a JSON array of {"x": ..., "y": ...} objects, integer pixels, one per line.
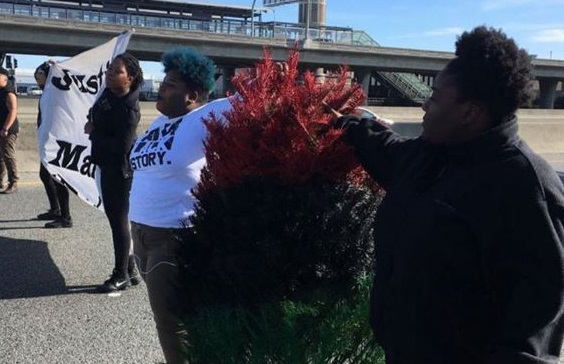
[{"x": 489, "y": 67}]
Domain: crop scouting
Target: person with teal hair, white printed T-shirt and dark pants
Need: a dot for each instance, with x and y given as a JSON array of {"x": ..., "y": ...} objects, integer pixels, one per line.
[{"x": 166, "y": 162}]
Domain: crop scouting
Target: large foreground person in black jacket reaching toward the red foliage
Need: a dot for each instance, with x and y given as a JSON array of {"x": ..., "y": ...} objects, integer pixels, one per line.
[{"x": 469, "y": 238}]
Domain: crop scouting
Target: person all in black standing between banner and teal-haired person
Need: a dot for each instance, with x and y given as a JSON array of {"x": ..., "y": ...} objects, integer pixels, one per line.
[{"x": 112, "y": 128}]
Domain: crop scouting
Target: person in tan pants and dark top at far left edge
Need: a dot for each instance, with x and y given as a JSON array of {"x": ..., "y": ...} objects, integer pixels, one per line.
[{"x": 9, "y": 128}]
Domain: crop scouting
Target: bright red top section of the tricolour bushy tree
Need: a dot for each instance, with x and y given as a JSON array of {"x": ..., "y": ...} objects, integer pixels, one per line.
[{"x": 279, "y": 128}]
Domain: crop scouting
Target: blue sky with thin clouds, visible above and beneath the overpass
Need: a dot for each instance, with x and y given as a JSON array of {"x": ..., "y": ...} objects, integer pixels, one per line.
[{"x": 537, "y": 26}]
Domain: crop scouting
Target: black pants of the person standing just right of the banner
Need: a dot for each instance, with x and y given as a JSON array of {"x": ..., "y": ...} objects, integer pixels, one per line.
[{"x": 115, "y": 196}]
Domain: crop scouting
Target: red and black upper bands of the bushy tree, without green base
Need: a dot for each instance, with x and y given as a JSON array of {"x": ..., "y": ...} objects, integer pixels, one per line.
[{"x": 283, "y": 205}]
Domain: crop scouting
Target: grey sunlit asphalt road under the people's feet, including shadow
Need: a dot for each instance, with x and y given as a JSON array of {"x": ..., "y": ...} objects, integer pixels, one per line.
[{"x": 49, "y": 311}]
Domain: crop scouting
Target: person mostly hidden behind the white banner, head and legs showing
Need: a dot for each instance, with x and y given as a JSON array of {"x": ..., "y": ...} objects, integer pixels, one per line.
[{"x": 57, "y": 193}]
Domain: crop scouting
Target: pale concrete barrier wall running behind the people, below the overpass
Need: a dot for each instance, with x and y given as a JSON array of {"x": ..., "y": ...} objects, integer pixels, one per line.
[{"x": 543, "y": 130}]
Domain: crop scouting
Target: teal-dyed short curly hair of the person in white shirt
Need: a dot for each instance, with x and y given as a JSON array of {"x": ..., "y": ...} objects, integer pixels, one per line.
[{"x": 197, "y": 70}]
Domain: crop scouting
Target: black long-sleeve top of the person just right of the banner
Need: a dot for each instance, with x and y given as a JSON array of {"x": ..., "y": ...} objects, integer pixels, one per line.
[{"x": 115, "y": 122}]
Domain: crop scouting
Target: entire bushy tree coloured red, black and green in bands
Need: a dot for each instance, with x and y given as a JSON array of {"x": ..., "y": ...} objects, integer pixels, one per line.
[{"x": 277, "y": 266}]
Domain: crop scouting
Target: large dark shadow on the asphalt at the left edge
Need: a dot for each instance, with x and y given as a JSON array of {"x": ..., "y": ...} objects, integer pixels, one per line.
[{"x": 27, "y": 270}]
